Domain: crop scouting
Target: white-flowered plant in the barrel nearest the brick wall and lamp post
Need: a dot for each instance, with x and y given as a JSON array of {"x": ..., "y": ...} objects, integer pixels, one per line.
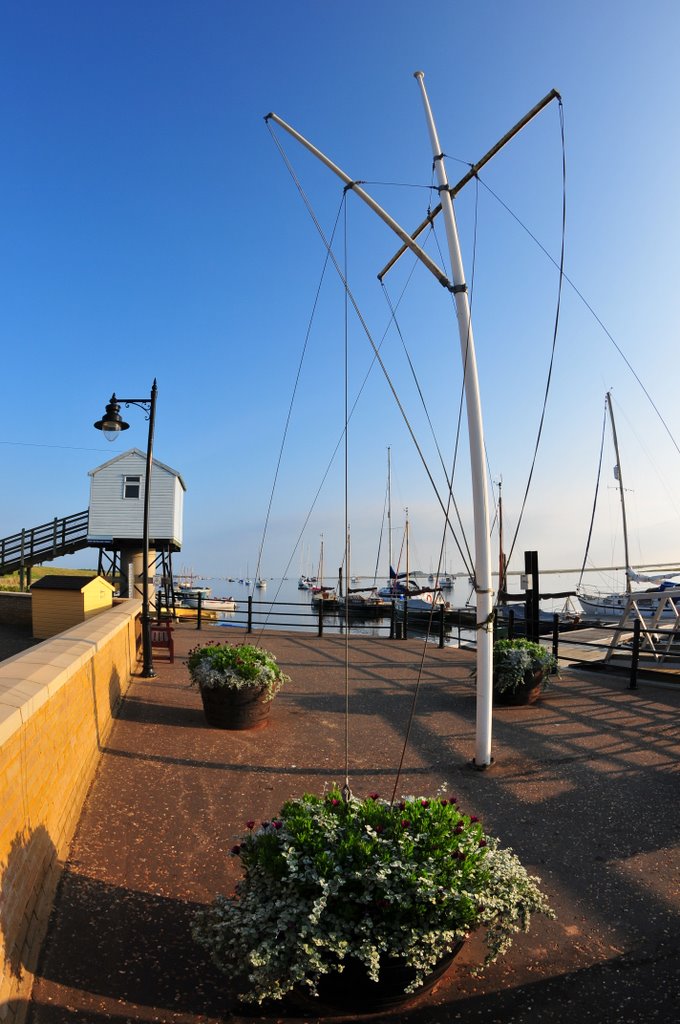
[{"x": 237, "y": 667}]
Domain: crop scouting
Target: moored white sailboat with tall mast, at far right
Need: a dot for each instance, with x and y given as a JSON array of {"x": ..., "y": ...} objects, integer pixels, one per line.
[{"x": 647, "y": 604}]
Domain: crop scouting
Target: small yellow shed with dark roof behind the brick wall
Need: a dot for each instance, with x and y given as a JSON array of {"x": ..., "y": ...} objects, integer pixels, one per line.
[{"x": 62, "y": 602}]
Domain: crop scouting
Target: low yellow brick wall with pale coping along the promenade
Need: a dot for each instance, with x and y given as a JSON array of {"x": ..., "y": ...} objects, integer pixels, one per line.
[{"x": 57, "y": 706}]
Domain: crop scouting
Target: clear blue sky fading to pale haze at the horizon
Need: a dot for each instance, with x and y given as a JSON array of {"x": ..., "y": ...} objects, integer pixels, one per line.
[{"x": 150, "y": 229}]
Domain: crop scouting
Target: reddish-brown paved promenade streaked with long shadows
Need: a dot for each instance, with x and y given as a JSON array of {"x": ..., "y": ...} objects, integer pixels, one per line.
[{"x": 584, "y": 789}]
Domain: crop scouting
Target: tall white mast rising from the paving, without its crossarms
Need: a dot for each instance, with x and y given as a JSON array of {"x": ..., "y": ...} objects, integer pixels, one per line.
[{"x": 483, "y": 569}]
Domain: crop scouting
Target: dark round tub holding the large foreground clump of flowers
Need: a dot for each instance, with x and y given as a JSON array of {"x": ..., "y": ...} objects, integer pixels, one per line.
[{"x": 353, "y": 991}]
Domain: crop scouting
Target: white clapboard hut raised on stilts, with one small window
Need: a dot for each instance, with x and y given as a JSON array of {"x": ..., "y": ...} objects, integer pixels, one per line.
[{"x": 117, "y": 503}]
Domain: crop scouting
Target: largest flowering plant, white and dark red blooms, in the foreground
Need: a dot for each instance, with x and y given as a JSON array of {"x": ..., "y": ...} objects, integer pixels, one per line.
[{"x": 331, "y": 881}]
